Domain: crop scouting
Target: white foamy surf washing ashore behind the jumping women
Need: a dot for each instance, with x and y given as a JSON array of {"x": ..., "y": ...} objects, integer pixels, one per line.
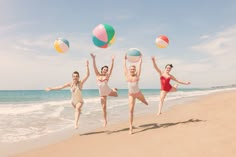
[{"x": 19, "y": 122}]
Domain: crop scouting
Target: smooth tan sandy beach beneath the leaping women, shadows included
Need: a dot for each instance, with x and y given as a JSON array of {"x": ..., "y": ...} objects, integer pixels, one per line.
[{"x": 202, "y": 127}]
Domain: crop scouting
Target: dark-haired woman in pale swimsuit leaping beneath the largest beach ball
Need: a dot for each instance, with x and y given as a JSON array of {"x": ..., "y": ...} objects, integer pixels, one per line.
[{"x": 104, "y": 89}]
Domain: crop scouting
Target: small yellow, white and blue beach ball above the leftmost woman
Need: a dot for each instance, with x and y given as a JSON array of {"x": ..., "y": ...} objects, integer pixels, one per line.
[{"x": 61, "y": 45}]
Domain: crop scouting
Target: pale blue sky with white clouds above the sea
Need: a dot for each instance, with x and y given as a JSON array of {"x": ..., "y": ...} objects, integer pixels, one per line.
[{"x": 202, "y": 38}]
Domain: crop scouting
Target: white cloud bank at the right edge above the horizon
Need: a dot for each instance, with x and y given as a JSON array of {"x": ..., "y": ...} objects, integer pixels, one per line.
[{"x": 217, "y": 69}]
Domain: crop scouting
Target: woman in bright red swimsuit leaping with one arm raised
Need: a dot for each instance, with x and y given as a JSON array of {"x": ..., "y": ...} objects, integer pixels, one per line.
[{"x": 165, "y": 78}]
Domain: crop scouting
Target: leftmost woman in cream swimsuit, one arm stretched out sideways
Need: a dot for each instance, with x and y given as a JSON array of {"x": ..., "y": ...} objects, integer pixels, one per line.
[{"x": 76, "y": 92}]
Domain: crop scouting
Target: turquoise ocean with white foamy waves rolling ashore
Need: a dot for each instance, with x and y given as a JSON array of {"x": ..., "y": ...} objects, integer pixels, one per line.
[{"x": 31, "y": 114}]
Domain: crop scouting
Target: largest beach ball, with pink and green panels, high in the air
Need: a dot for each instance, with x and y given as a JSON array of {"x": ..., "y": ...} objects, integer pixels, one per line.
[{"x": 103, "y": 35}]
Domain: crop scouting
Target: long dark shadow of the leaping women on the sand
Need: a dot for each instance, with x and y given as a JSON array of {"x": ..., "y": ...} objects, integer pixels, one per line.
[{"x": 147, "y": 127}]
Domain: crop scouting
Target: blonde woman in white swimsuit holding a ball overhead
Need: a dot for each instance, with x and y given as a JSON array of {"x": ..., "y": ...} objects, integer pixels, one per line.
[{"x": 132, "y": 77}]
